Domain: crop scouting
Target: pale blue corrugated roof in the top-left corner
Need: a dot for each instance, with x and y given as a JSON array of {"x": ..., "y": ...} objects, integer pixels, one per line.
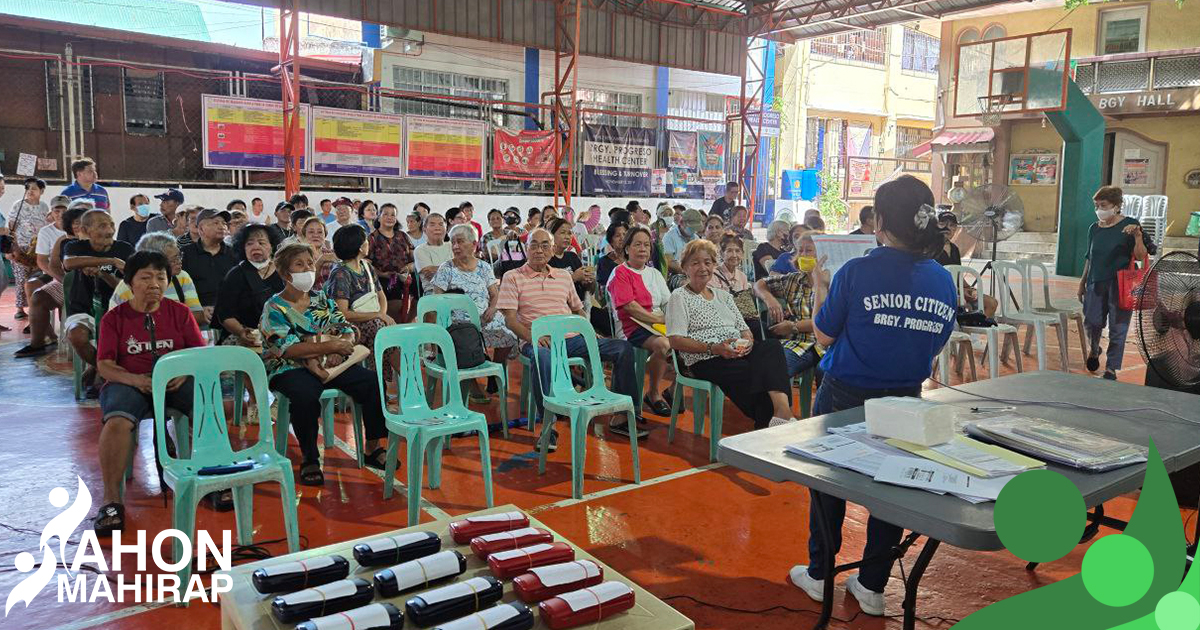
[{"x": 171, "y": 19}]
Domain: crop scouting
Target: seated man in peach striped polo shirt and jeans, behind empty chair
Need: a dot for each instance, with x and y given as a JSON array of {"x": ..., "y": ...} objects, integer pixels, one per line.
[{"x": 537, "y": 290}]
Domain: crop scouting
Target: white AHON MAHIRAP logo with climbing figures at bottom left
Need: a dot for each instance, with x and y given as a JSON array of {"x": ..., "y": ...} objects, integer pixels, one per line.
[{"x": 98, "y": 585}]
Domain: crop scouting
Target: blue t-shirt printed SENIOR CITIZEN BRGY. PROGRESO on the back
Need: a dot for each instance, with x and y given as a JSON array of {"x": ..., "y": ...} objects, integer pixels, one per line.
[{"x": 891, "y": 313}]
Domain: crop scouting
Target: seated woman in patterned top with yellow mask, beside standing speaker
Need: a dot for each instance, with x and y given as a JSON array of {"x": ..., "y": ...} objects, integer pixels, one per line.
[{"x": 789, "y": 301}]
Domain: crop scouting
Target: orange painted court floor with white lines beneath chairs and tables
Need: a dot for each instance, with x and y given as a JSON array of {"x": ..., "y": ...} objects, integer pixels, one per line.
[{"x": 713, "y": 542}]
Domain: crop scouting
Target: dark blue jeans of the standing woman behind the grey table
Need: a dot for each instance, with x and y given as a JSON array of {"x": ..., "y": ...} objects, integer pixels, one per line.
[{"x": 881, "y": 537}]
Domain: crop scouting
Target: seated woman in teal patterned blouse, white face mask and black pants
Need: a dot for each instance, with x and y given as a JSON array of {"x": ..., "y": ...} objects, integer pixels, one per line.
[{"x": 303, "y": 327}]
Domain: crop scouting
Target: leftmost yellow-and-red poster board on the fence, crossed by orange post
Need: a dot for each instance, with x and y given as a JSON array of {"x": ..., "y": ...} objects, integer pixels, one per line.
[{"x": 248, "y": 134}]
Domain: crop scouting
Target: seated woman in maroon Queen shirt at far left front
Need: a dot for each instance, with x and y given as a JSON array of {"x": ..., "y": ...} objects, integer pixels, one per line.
[{"x": 125, "y": 359}]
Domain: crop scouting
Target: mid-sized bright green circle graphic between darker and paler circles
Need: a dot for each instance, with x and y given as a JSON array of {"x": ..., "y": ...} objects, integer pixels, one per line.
[{"x": 1118, "y": 571}]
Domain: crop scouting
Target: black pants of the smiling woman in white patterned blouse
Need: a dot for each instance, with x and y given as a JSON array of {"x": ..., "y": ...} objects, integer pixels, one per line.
[{"x": 748, "y": 381}]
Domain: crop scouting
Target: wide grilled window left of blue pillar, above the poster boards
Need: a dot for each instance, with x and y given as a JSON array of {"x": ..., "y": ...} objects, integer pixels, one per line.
[{"x": 447, "y": 83}]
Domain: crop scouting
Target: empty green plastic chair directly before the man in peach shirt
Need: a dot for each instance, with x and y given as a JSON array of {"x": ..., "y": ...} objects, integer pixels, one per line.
[{"x": 562, "y": 399}]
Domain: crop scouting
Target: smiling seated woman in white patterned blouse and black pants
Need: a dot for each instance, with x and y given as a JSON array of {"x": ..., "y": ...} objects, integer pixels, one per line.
[{"x": 716, "y": 345}]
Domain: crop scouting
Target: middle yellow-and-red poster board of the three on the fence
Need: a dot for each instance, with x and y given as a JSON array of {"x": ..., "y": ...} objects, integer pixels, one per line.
[{"x": 347, "y": 142}]
